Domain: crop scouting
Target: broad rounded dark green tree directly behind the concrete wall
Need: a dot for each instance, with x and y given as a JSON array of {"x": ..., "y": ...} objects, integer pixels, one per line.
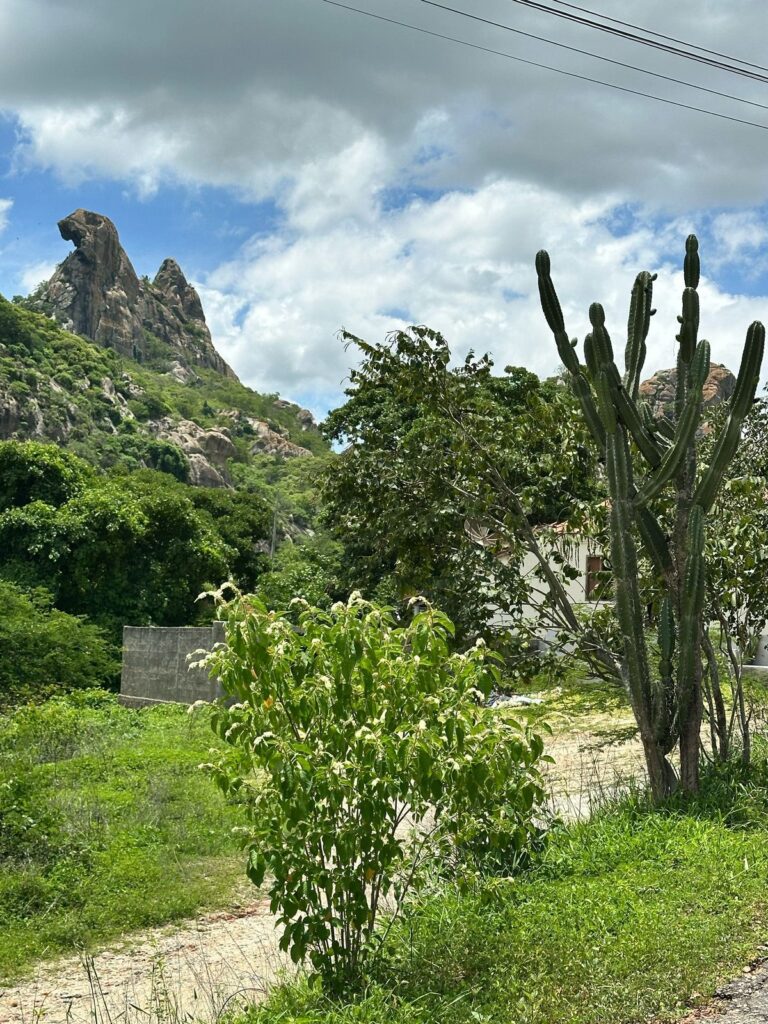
[{"x": 129, "y": 550}]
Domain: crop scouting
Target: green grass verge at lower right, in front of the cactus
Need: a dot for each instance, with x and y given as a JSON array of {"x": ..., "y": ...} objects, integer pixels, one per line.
[{"x": 634, "y": 916}]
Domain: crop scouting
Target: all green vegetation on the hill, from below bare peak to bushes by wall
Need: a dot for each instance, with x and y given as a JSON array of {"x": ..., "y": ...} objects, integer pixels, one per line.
[{"x": 99, "y": 526}]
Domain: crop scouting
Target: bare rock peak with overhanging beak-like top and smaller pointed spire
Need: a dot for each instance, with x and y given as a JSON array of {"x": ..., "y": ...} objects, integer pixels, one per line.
[{"x": 96, "y": 292}]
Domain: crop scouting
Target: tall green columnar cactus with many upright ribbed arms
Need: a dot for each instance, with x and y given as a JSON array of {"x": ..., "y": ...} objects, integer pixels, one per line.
[{"x": 668, "y": 709}]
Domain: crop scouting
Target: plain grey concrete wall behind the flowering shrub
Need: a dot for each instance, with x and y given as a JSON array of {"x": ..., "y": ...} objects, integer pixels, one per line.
[{"x": 156, "y": 667}]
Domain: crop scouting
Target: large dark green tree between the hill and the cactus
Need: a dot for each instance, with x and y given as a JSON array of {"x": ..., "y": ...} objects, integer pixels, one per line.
[{"x": 432, "y": 455}]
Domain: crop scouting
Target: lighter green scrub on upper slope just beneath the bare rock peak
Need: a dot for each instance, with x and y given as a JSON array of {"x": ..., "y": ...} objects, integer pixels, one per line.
[{"x": 60, "y": 377}]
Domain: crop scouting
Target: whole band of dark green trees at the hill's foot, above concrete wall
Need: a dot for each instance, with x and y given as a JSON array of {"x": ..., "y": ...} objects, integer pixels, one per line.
[{"x": 135, "y": 549}]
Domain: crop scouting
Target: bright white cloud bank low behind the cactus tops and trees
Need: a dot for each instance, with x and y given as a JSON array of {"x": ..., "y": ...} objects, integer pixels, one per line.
[{"x": 463, "y": 265}]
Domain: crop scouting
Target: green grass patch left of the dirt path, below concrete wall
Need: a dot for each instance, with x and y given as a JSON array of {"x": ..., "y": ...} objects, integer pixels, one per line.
[{"x": 107, "y": 826}]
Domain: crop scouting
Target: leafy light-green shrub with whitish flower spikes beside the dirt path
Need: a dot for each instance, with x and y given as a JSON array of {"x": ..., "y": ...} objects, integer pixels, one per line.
[{"x": 355, "y": 729}]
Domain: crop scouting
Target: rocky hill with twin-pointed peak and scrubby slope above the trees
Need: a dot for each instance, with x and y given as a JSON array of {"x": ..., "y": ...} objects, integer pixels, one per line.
[{"x": 124, "y": 371}]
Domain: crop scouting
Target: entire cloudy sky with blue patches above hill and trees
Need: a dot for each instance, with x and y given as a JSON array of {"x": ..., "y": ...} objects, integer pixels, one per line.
[{"x": 314, "y": 168}]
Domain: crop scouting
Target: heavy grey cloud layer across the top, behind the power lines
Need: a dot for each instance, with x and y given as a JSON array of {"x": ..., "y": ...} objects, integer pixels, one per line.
[{"x": 246, "y": 95}]
